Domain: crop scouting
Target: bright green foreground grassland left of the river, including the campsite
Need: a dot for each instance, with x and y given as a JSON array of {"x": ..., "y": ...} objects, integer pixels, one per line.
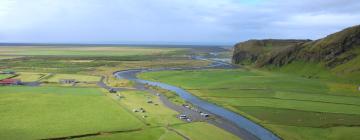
[{"x": 51, "y": 112}]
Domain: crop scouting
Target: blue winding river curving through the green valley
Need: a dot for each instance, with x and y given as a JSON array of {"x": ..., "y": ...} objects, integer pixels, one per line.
[{"x": 256, "y": 130}]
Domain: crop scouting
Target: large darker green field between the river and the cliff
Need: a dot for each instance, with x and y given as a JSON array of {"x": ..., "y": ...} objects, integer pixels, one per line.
[{"x": 293, "y": 107}]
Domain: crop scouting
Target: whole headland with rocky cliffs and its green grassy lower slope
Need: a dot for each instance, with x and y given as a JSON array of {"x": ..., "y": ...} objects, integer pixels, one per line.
[{"x": 336, "y": 54}]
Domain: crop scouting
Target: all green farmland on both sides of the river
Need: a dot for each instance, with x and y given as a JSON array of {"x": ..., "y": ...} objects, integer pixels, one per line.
[{"x": 292, "y": 106}]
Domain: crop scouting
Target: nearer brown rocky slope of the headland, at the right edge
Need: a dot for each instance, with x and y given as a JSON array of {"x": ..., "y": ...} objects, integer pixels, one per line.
[{"x": 334, "y": 49}]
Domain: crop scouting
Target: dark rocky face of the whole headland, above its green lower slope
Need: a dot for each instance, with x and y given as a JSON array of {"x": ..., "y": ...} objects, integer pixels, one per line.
[{"x": 333, "y": 50}]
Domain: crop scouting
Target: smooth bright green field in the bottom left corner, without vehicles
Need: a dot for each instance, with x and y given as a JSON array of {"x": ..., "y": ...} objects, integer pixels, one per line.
[{"x": 47, "y": 112}]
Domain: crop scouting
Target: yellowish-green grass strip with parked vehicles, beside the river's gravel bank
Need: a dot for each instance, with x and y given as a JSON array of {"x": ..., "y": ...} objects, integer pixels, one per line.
[{"x": 161, "y": 121}]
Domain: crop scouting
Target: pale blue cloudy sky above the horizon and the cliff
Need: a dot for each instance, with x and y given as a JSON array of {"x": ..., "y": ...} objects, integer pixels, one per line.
[{"x": 172, "y": 21}]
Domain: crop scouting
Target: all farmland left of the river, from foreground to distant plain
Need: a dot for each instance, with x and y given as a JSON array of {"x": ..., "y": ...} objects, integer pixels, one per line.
[{"x": 56, "y": 110}]
